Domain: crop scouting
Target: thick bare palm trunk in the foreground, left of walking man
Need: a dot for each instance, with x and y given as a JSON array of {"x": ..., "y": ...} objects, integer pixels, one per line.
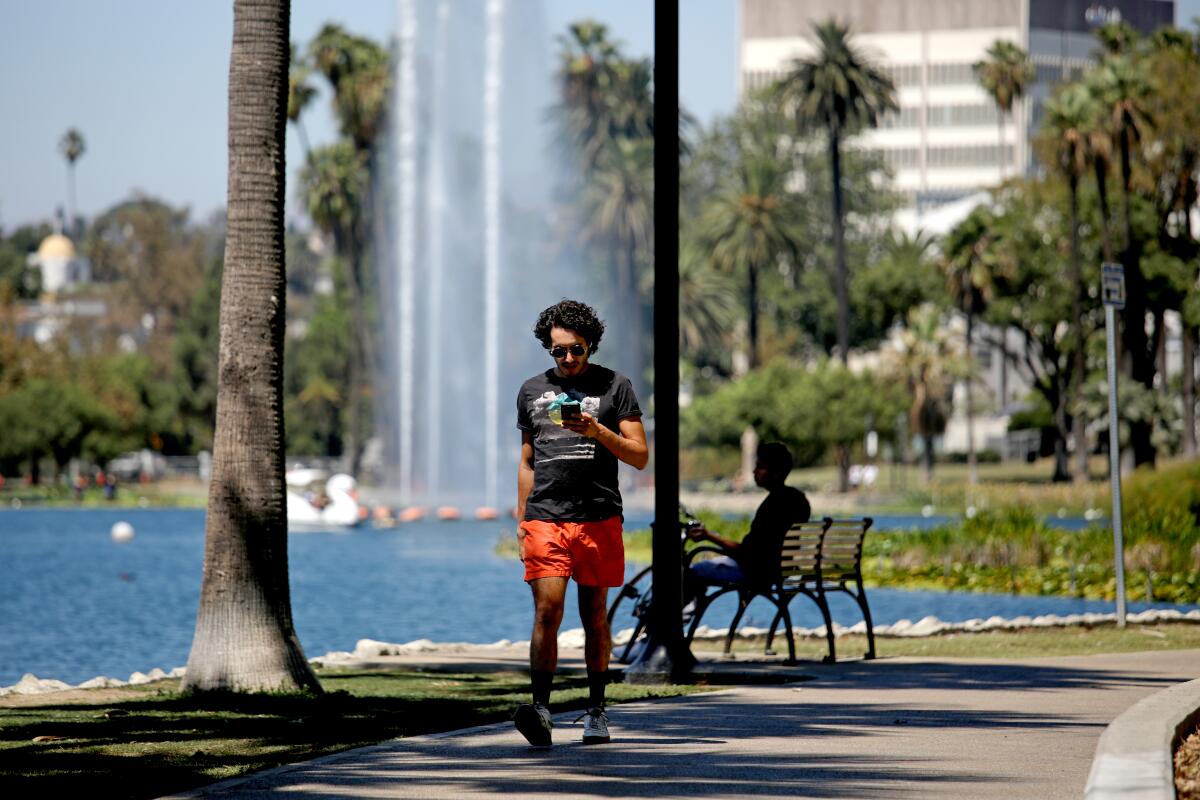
[{"x": 245, "y": 639}]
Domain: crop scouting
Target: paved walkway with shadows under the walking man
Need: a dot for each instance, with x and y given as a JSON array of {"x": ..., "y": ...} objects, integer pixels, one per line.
[{"x": 889, "y": 729}]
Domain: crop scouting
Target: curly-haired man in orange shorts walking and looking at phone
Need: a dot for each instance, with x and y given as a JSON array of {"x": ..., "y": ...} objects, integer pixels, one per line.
[{"x": 577, "y": 420}]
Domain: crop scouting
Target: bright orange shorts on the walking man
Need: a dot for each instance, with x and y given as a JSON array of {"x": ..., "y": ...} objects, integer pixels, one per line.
[{"x": 591, "y": 552}]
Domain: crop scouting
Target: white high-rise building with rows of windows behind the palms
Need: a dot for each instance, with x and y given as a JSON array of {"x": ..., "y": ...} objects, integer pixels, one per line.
[{"x": 945, "y": 142}]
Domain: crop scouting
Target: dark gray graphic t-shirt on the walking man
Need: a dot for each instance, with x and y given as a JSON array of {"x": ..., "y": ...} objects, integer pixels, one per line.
[{"x": 574, "y": 478}]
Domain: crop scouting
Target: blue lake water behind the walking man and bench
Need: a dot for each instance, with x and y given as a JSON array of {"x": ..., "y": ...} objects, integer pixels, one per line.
[{"x": 75, "y": 604}]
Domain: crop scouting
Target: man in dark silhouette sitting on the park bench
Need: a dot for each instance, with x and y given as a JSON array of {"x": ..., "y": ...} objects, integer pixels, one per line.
[{"x": 755, "y": 560}]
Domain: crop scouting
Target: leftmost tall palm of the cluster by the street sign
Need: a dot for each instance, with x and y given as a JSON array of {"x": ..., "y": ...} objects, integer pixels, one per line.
[{"x": 1063, "y": 145}]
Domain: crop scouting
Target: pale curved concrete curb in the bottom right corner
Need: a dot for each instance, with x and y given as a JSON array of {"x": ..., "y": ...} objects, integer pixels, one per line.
[{"x": 1135, "y": 757}]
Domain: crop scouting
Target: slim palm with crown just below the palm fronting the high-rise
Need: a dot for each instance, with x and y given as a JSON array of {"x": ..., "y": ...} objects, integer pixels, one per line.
[{"x": 969, "y": 264}]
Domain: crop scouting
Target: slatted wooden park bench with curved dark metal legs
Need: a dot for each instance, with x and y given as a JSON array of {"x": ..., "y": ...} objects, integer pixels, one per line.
[{"x": 818, "y": 558}]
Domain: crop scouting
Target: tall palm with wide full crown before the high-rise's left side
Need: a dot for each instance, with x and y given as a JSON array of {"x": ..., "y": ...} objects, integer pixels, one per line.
[{"x": 837, "y": 91}]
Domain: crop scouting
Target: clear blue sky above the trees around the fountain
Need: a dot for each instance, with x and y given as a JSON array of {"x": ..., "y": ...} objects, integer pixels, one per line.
[{"x": 146, "y": 83}]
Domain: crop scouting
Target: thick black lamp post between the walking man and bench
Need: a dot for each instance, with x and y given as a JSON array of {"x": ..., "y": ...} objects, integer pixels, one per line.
[{"x": 665, "y": 658}]
